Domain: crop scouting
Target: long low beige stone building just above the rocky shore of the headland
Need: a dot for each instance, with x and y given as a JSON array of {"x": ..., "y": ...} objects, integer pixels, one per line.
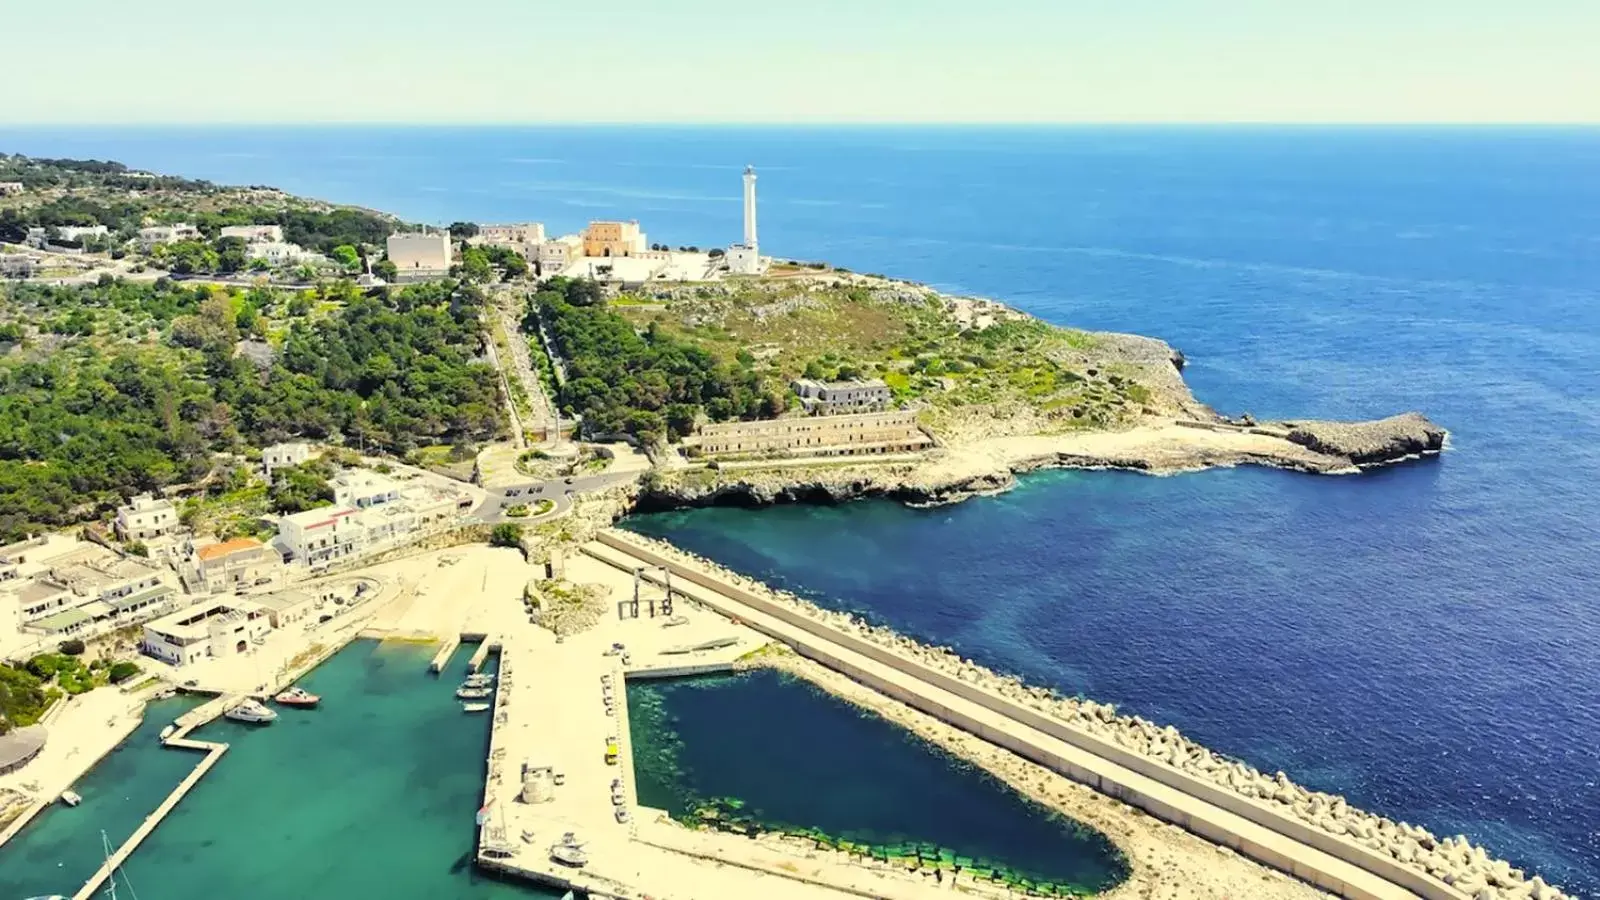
[{"x": 817, "y": 436}]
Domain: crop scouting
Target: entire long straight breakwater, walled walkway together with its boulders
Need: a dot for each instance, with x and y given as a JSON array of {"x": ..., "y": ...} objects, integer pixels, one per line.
[{"x": 1143, "y": 757}]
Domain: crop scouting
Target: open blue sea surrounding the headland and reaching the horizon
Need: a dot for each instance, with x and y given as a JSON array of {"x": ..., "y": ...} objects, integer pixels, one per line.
[{"x": 1425, "y": 640}]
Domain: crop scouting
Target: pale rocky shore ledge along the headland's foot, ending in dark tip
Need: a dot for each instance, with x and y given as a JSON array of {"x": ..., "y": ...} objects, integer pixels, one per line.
[{"x": 991, "y": 467}]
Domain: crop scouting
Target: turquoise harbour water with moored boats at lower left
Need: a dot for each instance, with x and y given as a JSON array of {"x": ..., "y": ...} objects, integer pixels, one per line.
[{"x": 369, "y": 798}]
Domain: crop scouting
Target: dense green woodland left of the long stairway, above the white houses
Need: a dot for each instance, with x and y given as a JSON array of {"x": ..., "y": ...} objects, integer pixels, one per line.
[{"x": 121, "y": 388}]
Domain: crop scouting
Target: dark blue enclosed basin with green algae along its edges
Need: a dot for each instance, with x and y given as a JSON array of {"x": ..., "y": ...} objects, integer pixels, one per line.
[{"x": 764, "y": 752}]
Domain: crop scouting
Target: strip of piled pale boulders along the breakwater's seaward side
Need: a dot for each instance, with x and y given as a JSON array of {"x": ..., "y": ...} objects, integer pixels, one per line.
[{"x": 1455, "y": 861}]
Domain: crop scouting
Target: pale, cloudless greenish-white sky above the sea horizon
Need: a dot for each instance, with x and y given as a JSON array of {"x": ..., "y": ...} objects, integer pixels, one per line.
[{"x": 1036, "y": 62}]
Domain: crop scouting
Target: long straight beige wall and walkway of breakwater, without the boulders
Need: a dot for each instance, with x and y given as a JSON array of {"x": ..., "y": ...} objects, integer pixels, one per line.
[{"x": 1252, "y": 829}]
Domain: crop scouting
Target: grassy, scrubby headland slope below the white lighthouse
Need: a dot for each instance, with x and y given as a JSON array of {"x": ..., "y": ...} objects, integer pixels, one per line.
[{"x": 970, "y": 369}]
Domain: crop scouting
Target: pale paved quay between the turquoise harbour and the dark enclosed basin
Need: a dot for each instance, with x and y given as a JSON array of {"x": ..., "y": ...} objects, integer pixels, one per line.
[{"x": 551, "y": 713}]
